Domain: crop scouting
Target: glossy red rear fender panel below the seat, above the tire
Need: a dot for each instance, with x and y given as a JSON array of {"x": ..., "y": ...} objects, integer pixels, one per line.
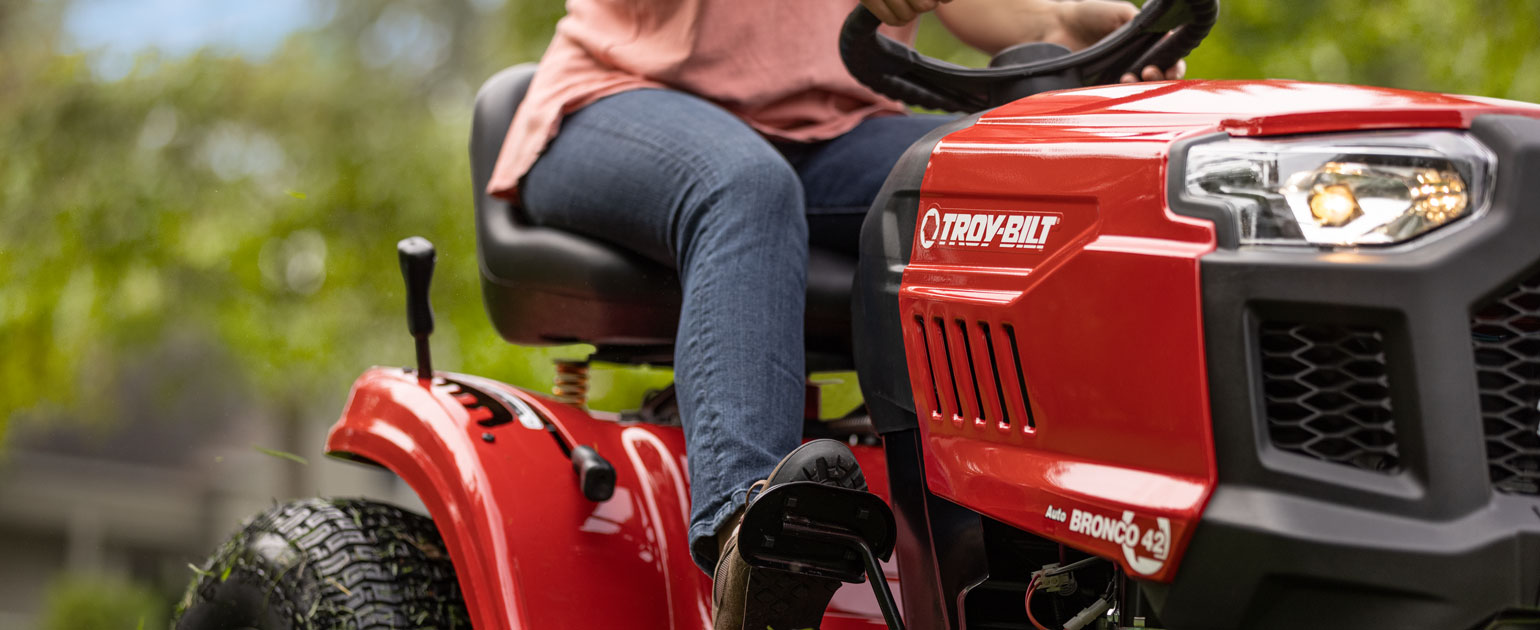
[{"x": 527, "y": 548}]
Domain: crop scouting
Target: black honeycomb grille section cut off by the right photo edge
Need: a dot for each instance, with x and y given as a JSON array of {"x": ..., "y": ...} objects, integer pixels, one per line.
[{"x": 1507, "y": 337}]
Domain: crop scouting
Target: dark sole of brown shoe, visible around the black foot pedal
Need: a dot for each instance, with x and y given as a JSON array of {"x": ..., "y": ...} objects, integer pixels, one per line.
[{"x": 794, "y": 602}]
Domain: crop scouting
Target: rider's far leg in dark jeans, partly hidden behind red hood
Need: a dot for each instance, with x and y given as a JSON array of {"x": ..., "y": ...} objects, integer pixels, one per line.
[{"x": 843, "y": 176}]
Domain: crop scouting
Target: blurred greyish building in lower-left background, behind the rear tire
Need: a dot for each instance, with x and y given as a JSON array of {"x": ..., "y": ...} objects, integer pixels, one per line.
[{"x": 122, "y": 512}]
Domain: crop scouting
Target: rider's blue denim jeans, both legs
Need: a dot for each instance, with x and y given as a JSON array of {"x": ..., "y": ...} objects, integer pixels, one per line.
[{"x": 686, "y": 184}]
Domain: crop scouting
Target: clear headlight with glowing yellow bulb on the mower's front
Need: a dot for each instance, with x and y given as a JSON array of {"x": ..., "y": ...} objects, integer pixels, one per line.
[{"x": 1370, "y": 189}]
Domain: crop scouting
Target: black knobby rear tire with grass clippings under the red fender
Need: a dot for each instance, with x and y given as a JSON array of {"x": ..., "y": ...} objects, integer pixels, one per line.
[{"x": 327, "y": 565}]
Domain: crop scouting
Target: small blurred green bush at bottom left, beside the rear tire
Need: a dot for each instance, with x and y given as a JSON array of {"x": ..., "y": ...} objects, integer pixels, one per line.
[{"x": 96, "y": 603}]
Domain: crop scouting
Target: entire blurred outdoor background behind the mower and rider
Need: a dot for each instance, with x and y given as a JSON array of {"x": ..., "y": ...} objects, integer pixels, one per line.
[{"x": 198, "y": 212}]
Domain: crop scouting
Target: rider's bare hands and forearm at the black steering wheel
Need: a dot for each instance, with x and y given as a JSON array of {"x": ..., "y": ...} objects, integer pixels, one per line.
[{"x": 1000, "y": 24}]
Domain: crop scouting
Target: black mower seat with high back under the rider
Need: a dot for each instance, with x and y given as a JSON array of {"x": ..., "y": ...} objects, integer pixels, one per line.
[{"x": 544, "y": 286}]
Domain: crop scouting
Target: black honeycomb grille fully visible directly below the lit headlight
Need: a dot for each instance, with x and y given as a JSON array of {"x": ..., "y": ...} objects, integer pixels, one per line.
[{"x": 1328, "y": 394}]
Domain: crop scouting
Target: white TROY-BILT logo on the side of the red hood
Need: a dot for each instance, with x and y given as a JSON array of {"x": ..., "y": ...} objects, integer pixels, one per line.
[{"x": 986, "y": 229}]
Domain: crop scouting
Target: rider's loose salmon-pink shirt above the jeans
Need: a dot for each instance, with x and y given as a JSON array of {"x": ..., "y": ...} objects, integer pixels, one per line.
[{"x": 775, "y": 64}]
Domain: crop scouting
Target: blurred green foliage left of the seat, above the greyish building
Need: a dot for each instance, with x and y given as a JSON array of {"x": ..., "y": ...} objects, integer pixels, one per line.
[{"x": 255, "y": 206}]
